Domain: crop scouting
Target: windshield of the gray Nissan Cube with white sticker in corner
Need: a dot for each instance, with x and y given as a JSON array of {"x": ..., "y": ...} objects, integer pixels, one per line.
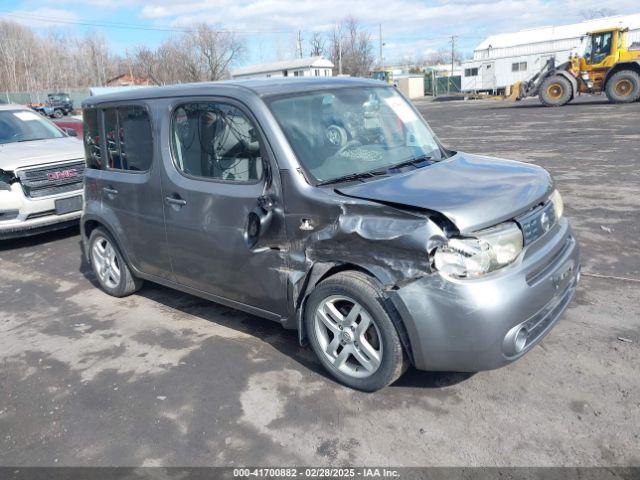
[{"x": 349, "y": 131}]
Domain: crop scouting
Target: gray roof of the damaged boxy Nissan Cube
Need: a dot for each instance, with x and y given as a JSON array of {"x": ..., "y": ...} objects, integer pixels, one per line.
[{"x": 261, "y": 87}]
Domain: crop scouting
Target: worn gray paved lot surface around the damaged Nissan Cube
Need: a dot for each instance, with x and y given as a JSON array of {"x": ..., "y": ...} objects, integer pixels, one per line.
[{"x": 164, "y": 378}]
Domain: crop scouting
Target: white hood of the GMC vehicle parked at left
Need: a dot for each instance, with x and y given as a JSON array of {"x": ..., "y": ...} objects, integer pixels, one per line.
[{"x": 37, "y": 152}]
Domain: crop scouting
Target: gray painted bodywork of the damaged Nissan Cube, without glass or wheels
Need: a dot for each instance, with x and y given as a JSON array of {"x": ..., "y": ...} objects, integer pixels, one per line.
[{"x": 386, "y": 228}]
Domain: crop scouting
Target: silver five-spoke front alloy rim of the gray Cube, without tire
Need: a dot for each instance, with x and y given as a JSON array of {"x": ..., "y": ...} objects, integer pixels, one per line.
[{"x": 348, "y": 336}]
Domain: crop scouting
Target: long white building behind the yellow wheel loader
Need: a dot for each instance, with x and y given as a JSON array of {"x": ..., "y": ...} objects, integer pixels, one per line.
[{"x": 503, "y": 59}]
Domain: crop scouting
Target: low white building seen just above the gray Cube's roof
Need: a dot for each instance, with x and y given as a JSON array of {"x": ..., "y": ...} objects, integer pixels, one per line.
[{"x": 298, "y": 67}]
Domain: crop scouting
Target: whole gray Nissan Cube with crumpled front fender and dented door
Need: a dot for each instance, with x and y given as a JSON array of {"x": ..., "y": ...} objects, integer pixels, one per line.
[{"x": 327, "y": 205}]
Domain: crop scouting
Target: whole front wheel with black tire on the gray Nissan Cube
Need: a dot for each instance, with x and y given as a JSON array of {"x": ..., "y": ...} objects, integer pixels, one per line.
[{"x": 352, "y": 332}]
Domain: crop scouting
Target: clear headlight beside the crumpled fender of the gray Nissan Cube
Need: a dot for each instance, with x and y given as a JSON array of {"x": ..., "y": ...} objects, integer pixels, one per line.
[{"x": 490, "y": 250}]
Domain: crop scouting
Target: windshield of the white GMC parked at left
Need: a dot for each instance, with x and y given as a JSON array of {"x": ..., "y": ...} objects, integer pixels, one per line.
[{"x": 24, "y": 126}]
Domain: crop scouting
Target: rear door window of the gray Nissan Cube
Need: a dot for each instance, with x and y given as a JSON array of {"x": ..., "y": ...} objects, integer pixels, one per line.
[{"x": 128, "y": 138}]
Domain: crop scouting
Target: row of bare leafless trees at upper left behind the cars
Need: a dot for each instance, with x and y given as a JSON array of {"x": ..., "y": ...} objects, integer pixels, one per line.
[{"x": 57, "y": 60}]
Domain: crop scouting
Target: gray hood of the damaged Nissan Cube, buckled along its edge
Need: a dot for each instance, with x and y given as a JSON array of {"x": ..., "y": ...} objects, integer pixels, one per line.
[{"x": 474, "y": 192}]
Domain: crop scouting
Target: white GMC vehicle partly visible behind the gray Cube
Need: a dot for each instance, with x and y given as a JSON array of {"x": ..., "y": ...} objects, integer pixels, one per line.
[{"x": 41, "y": 173}]
